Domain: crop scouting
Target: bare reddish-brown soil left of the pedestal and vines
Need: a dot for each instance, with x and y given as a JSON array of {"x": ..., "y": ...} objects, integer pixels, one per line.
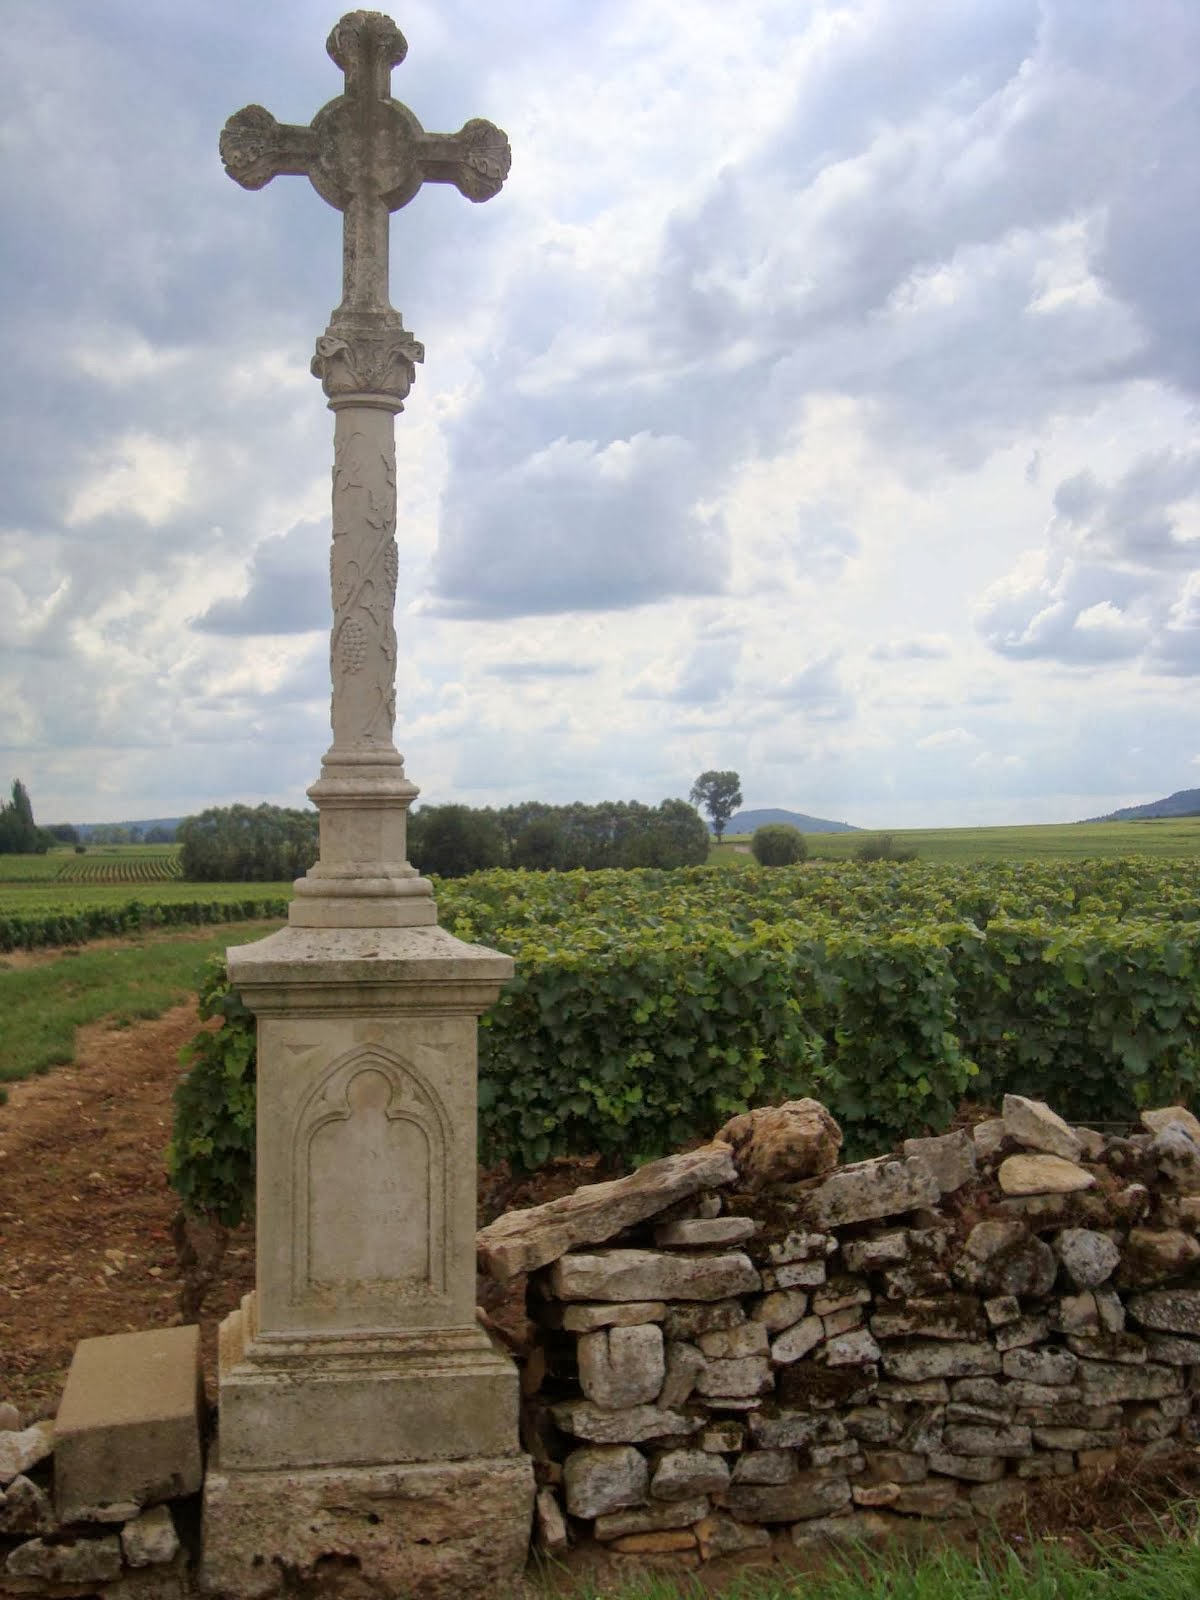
[{"x": 86, "y": 1209}]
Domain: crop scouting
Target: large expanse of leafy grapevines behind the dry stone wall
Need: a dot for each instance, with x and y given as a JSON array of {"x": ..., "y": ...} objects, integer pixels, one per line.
[{"x": 650, "y": 1006}]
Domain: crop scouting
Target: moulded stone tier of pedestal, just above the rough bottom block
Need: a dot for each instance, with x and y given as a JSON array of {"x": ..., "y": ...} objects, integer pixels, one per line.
[{"x": 441, "y": 1394}]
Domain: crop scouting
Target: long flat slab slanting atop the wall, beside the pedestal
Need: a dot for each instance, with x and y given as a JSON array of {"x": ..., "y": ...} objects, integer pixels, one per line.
[{"x": 526, "y": 1241}]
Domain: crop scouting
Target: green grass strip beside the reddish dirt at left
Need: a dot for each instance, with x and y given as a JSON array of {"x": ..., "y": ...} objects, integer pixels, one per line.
[{"x": 44, "y": 1004}]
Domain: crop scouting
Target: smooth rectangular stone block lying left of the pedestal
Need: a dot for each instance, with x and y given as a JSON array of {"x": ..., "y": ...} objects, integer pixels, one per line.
[{"x": 129, "y": 1428}]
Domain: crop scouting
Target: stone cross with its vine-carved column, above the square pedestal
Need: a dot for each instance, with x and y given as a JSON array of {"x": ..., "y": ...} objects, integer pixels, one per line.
[{"x": 367, "y": 156}]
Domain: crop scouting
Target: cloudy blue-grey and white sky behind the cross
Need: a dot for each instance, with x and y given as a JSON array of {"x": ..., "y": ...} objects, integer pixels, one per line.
[{"x": 818, "y": 401}]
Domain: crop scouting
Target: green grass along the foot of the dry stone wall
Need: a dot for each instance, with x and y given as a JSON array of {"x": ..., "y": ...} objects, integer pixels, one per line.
[{"x": 1167, "y": 1569}]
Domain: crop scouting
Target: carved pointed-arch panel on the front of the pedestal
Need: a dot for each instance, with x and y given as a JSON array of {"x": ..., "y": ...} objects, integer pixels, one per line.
[{"x": 370, "y": 1185}]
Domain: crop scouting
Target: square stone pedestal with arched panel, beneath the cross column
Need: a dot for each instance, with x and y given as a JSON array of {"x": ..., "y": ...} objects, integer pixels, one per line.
[{"x": 358, "y": 1394}]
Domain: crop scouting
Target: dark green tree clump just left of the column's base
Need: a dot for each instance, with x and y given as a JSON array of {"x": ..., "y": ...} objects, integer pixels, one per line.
[{"x": 242, "y": 844}]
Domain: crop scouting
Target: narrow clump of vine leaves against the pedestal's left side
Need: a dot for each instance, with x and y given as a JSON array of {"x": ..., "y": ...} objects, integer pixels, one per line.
[{"x": 210, "y": 1159}]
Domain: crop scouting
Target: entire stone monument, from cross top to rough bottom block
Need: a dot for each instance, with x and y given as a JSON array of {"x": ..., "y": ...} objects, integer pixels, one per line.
[{"x": 367, "y": 1423}]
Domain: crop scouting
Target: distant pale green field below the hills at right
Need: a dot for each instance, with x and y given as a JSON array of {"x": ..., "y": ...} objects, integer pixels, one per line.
[{"x": 1167, "y": 839}]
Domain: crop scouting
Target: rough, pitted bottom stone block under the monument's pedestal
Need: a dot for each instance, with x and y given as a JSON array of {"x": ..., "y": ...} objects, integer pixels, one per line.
[{"x": 438, "y": 1532}]
